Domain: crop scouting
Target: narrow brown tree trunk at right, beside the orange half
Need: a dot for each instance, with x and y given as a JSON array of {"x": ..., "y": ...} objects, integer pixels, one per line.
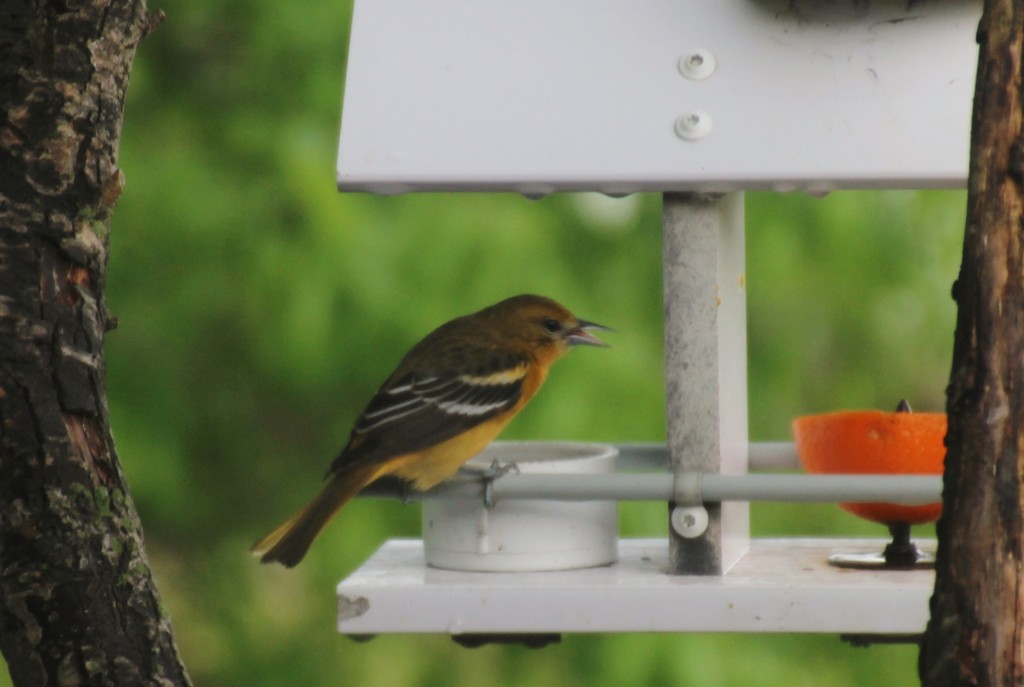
[{"x": 976, "y": 633}]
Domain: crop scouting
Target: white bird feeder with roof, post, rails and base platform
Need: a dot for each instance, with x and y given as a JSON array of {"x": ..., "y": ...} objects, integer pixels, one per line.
[{"x": 701, "y": 102}]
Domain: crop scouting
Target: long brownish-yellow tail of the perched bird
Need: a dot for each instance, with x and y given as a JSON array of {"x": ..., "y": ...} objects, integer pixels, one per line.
[{"x": 290, "y": 542}]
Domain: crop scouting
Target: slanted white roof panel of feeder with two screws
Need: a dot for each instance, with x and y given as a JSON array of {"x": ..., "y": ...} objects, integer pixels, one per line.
[{"x": 543, "y": 96}]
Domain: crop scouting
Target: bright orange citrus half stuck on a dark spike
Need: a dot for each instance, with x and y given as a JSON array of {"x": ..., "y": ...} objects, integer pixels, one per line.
[{"x": 875, "y": 443}]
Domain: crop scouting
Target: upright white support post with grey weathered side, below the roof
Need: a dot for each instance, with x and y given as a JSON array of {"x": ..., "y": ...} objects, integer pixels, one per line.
[{"x": 706, "y": 372}]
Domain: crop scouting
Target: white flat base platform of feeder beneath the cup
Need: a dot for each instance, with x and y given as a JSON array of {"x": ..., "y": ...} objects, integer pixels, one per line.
[{"x": 784, "y": 586}]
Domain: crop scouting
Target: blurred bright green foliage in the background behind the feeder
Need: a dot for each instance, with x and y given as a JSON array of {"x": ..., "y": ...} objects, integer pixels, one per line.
[{"x": 260, "y": 310}]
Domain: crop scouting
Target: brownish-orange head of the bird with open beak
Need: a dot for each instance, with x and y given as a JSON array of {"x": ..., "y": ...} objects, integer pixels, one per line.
[{"x": 547, "y": 327}]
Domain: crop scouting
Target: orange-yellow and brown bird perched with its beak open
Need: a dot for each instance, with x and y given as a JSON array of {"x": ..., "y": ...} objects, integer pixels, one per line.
[{"x": 450, "y": 397}]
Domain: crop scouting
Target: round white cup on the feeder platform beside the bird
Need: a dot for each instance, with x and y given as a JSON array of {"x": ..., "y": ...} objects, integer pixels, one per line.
[{"x": 520, "y": 536}]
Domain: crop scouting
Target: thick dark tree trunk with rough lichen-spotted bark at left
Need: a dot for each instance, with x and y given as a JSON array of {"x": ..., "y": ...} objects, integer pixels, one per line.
[{"x": 78, "y": 605}]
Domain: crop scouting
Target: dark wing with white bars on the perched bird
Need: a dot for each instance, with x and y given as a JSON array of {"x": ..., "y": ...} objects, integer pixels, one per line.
[{"x": 416, "y": 412}]
